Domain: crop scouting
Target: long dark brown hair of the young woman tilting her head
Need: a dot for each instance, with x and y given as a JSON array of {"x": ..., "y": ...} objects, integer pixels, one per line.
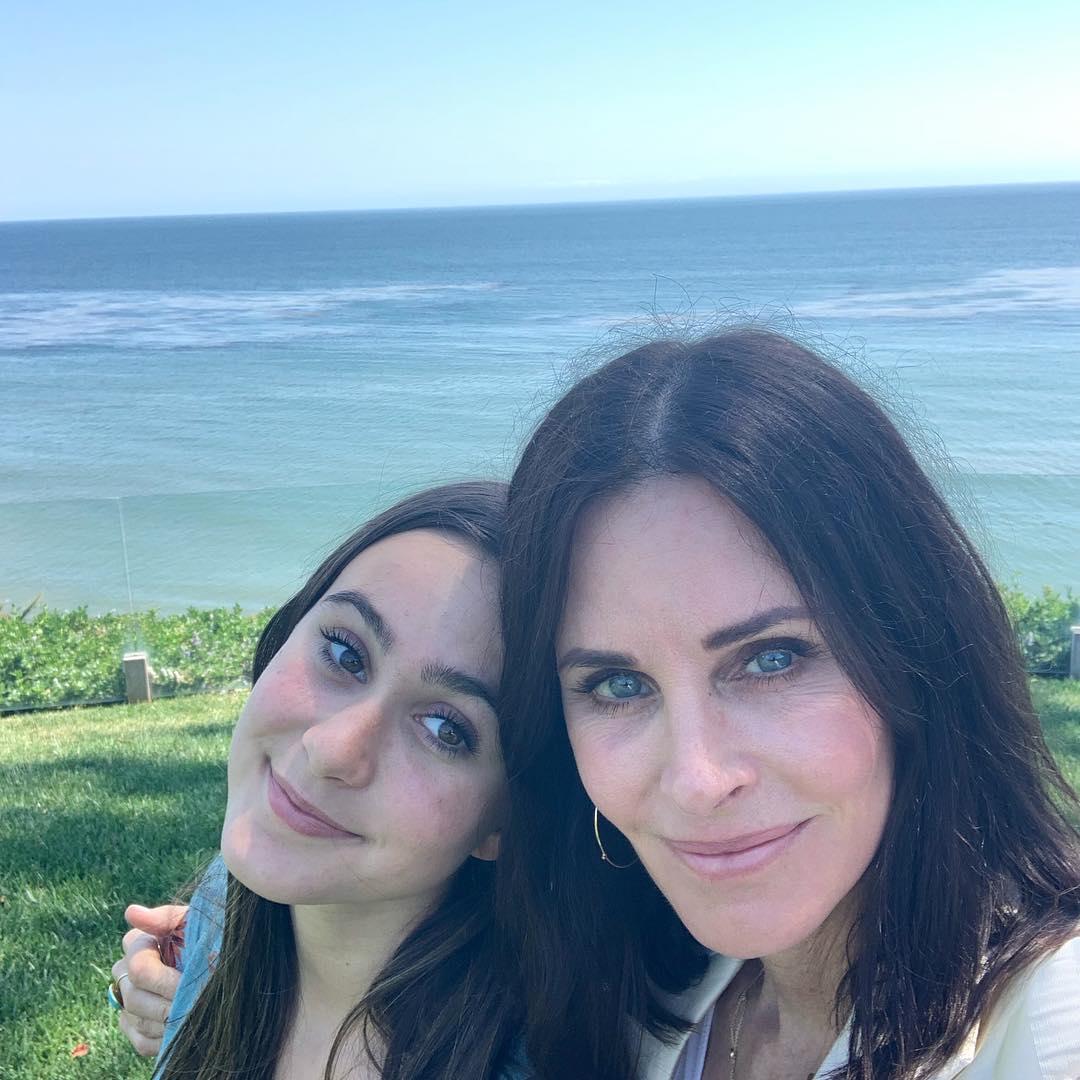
[{"x": 445, "y": 1006}]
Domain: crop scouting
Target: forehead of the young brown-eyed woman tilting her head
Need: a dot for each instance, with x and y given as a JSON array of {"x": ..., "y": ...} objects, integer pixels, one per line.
[{"x": 439, "y": 596}]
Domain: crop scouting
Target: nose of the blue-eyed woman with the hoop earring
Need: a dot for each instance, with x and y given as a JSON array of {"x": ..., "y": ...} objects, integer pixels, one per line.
[{"x": 708, "y": 761}]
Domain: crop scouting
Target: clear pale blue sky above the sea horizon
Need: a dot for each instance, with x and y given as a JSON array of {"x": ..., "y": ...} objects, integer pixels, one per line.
[{"x": 115, "y": 109}]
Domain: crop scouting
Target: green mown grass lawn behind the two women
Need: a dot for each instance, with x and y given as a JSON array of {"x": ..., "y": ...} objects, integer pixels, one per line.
[{"x": 100, "y": 807}]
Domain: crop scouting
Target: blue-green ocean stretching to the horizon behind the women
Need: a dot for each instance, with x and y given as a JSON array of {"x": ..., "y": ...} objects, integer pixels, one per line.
[{"x": 194, "y": 409}]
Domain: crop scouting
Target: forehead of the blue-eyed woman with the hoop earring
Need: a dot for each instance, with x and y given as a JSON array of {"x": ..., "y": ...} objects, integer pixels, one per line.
[{"x": 671, "y": 550}]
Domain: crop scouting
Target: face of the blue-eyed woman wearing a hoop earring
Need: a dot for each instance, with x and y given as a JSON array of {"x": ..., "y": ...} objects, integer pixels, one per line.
[{"x": 710, "y": 723}]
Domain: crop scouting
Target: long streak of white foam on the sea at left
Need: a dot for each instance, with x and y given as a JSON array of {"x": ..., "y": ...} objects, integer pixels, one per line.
[{"x": 184, "y": 319}]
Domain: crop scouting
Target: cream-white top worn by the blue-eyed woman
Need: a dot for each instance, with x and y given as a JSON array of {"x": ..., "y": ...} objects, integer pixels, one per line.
[{"x": 1032, "y": 1034}]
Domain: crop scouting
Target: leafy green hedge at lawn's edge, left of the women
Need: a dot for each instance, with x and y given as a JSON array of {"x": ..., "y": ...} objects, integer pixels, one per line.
[{"x": 67, "y": 657}]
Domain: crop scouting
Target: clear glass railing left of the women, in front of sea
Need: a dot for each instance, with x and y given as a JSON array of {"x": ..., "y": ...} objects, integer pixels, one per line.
[{"x": 186, "y": 580}]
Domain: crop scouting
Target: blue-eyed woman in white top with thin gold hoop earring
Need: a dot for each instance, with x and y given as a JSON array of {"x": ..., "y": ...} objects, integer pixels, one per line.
[{"x": 736, "y": 605}]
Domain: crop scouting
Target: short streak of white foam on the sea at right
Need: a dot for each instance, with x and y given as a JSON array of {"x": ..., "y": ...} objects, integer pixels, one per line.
[{"x": 1017, "y": 291}]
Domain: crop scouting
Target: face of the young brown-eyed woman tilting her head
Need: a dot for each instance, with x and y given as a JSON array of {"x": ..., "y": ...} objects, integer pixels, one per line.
[{"x": 366, "y": 766}]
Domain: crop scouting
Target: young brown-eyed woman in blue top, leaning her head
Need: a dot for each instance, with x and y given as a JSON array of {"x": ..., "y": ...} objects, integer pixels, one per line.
[{"x": 367, "y": 792}]
